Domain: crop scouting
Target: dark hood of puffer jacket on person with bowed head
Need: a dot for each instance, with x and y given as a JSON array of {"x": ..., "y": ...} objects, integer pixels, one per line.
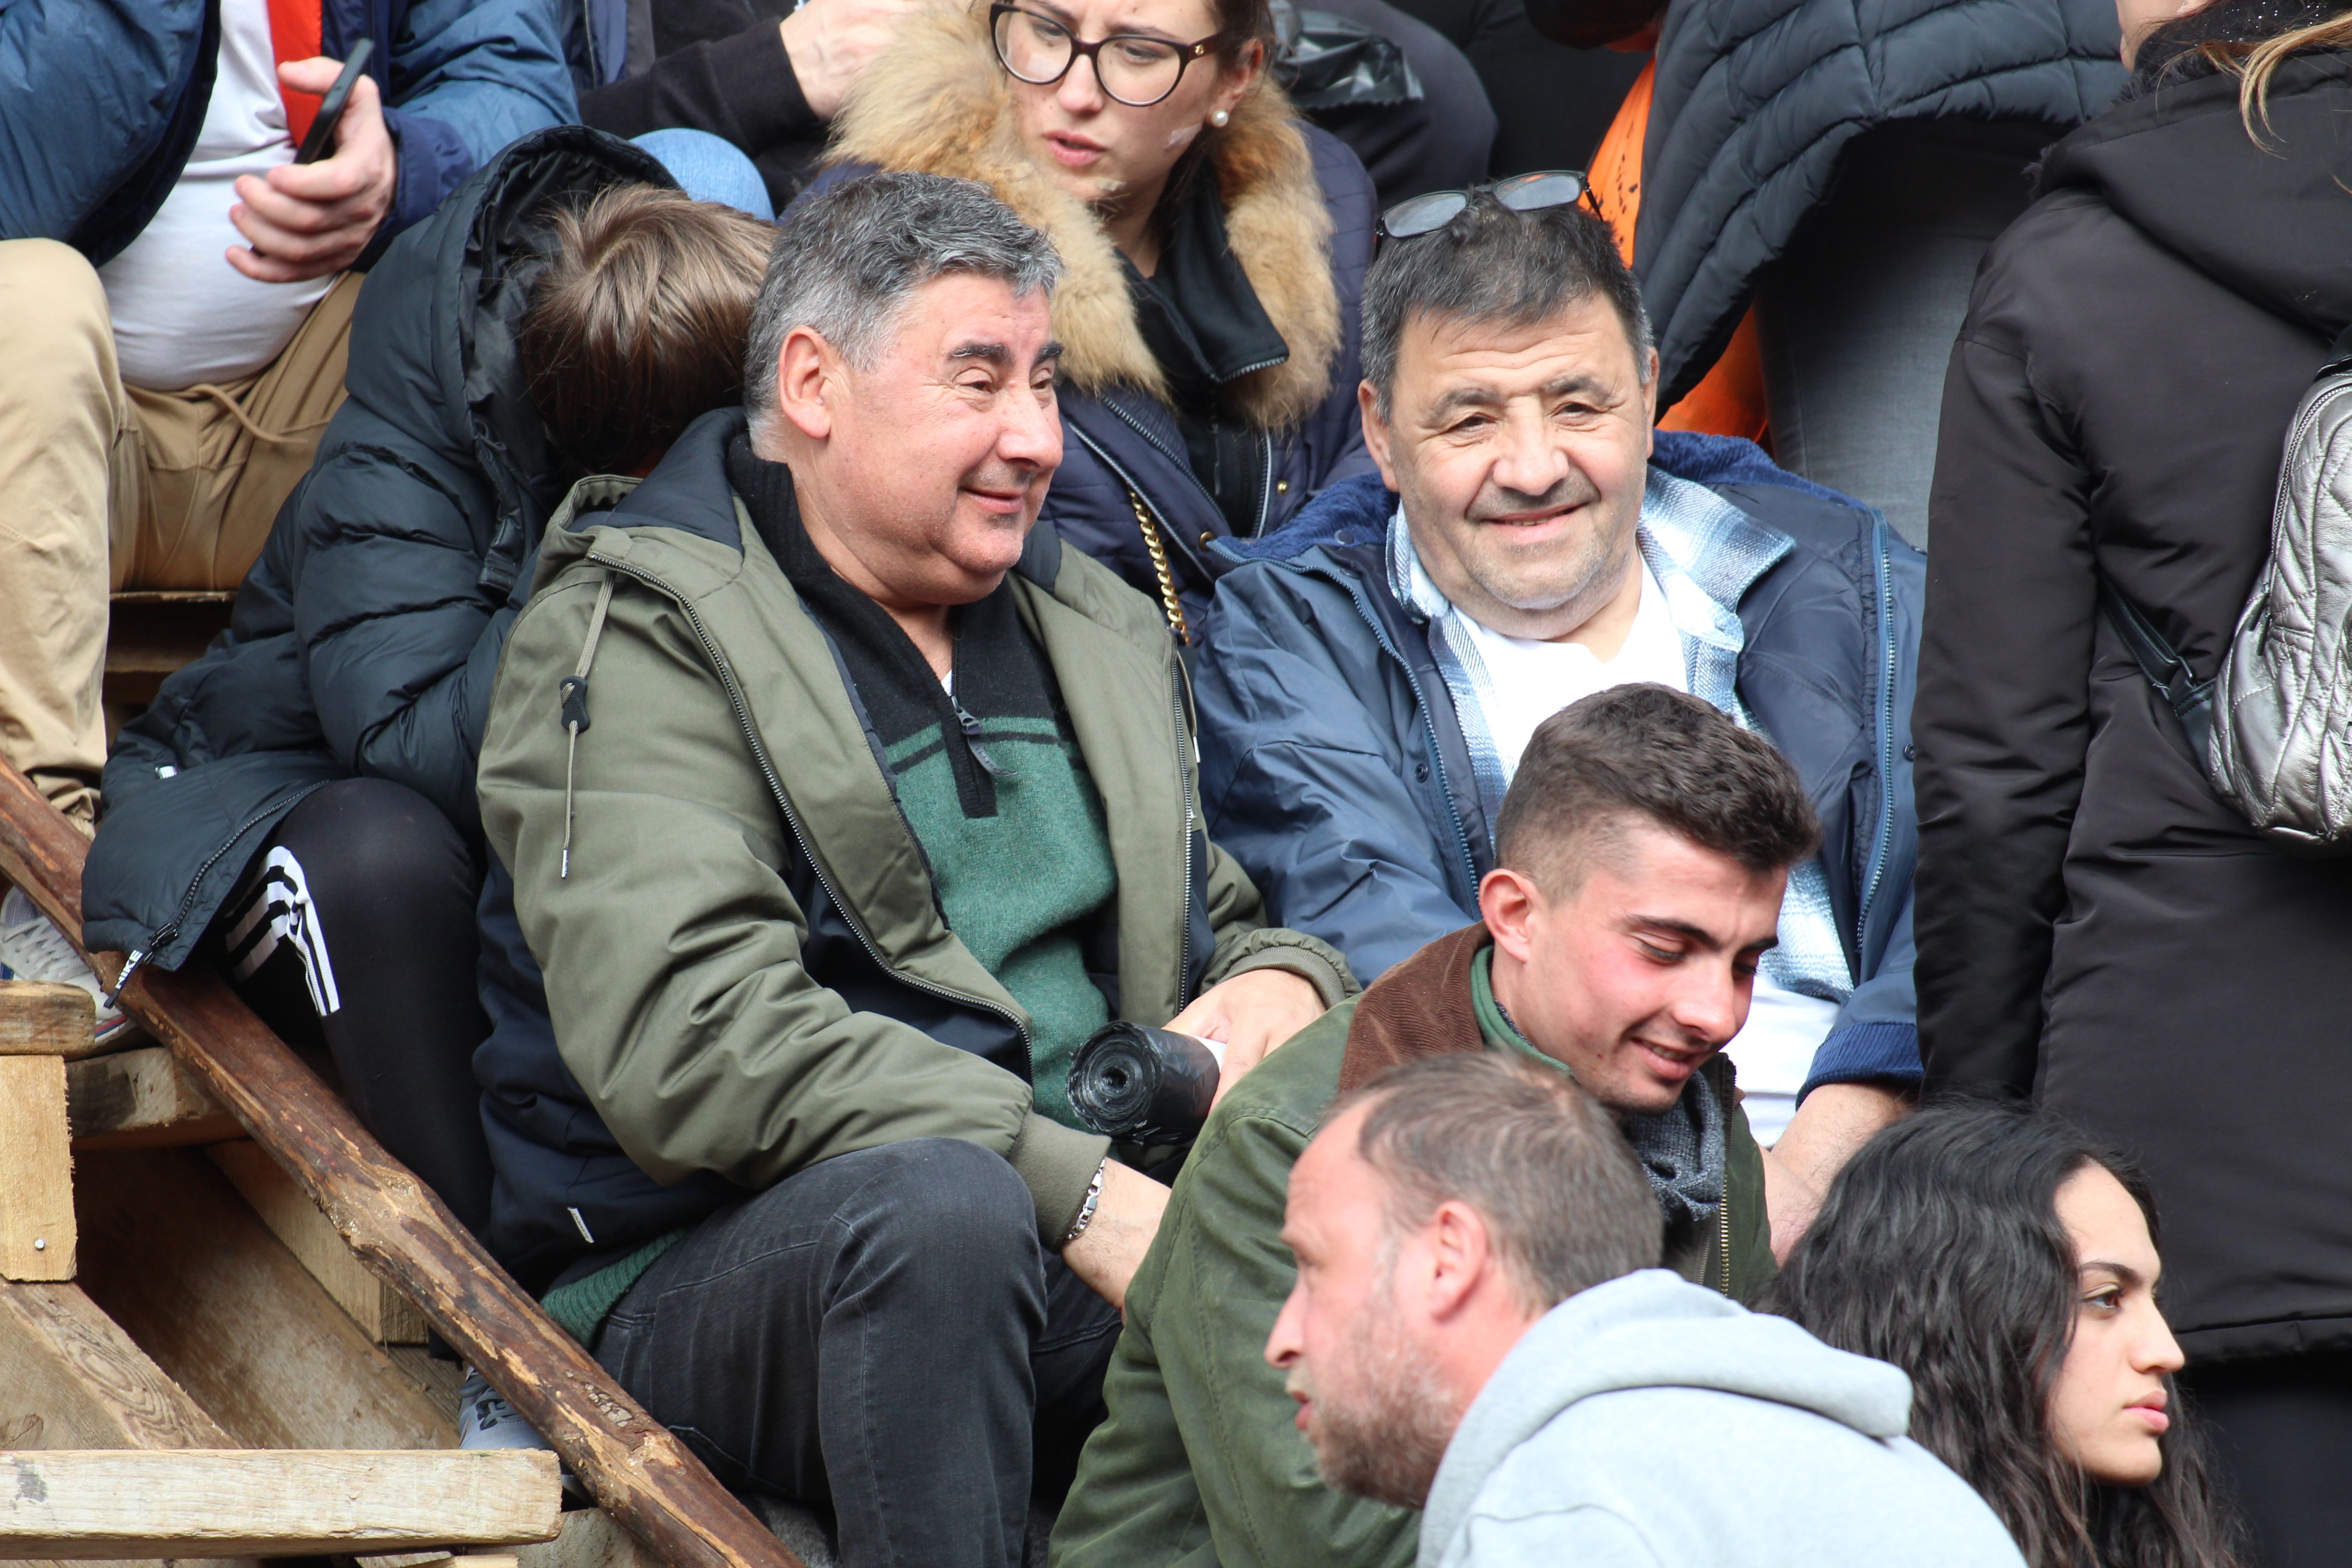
[{"x": 441, "y": 314}]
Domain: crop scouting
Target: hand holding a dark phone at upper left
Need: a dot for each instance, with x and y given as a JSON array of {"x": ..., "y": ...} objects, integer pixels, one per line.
[{"x": 316, "y": 220}]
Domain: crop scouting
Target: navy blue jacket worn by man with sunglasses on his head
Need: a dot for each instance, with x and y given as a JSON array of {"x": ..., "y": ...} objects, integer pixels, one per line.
[{"x": 1335, "y": 765}]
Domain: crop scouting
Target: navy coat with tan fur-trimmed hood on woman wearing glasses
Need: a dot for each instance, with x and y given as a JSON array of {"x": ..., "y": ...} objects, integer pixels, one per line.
[{"x": 1297, "y": 217}]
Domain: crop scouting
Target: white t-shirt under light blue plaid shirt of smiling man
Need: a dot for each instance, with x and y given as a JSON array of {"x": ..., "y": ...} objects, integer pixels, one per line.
[{"x": 1535, "y": 681}]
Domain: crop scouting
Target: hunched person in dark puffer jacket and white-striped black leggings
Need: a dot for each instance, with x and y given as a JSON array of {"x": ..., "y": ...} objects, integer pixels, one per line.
[{"x": 298, "y": 808}]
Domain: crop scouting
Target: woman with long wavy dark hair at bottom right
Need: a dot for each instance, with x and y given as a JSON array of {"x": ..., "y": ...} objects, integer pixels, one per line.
[{"x": 2010, "y": 1266}]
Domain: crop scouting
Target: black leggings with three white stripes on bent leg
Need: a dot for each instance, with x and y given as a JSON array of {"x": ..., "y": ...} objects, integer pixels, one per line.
[{"x": 354, "y": 934}]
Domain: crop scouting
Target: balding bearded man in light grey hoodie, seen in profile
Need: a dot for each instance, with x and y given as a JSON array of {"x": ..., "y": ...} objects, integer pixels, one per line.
[{"x": 1481, "y": 1332}]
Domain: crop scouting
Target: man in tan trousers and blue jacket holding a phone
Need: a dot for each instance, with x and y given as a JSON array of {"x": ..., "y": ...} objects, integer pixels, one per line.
[{"x": 175, "y": 297}]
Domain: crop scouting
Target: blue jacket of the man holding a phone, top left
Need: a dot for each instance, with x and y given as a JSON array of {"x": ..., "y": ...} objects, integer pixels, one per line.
[{"x": 100, "y": 105}]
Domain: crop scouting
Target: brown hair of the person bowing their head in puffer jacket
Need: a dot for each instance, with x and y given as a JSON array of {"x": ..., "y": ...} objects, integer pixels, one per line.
[{"x": 636, "y": 328}]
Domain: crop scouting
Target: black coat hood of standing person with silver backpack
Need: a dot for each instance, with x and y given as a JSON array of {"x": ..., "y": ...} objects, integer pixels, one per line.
[{"x": 2269, "y": 225}]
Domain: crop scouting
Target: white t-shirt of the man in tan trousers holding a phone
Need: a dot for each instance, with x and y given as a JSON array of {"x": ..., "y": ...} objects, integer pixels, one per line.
[{"x": 182, "y": 314}]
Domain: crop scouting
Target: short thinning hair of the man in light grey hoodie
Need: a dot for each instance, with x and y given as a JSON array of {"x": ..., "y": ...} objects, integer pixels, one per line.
[{"x": 1535, "y": 1155}]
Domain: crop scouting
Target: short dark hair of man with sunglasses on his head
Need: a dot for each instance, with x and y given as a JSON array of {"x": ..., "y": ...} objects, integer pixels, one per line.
[{"x": 1492, "y": 264}]
